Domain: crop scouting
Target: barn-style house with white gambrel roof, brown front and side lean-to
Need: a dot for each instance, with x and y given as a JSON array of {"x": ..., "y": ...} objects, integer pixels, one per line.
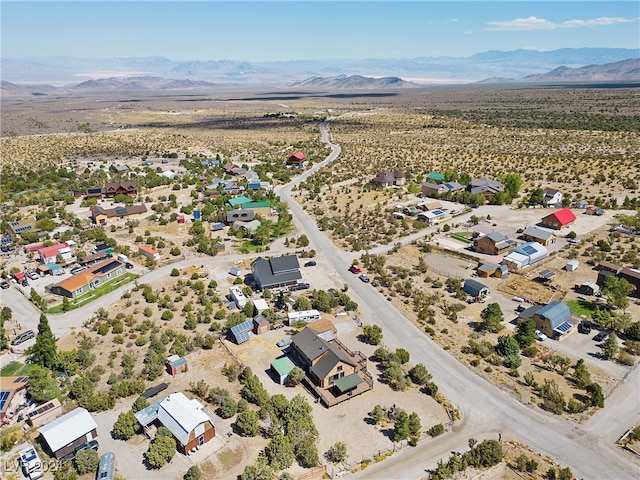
[{"x": 185, "y": 418}]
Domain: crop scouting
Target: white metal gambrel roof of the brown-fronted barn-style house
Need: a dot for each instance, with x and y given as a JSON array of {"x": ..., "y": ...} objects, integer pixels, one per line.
[{"x": 182, "y": 416}]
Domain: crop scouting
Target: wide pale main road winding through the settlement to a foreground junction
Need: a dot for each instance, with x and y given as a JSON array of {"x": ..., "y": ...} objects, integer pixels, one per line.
[{"x": 486, "y": 410}]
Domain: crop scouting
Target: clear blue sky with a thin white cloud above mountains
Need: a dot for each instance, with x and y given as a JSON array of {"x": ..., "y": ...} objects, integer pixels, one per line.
[{"x": 290, "y": 30}]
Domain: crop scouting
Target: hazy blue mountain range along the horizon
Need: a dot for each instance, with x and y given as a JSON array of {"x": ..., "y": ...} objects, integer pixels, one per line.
[{"x": 516, "y": 64}]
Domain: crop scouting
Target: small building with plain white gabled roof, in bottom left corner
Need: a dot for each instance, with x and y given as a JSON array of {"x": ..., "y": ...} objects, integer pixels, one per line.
[{"x": 69, "y": 431}]
